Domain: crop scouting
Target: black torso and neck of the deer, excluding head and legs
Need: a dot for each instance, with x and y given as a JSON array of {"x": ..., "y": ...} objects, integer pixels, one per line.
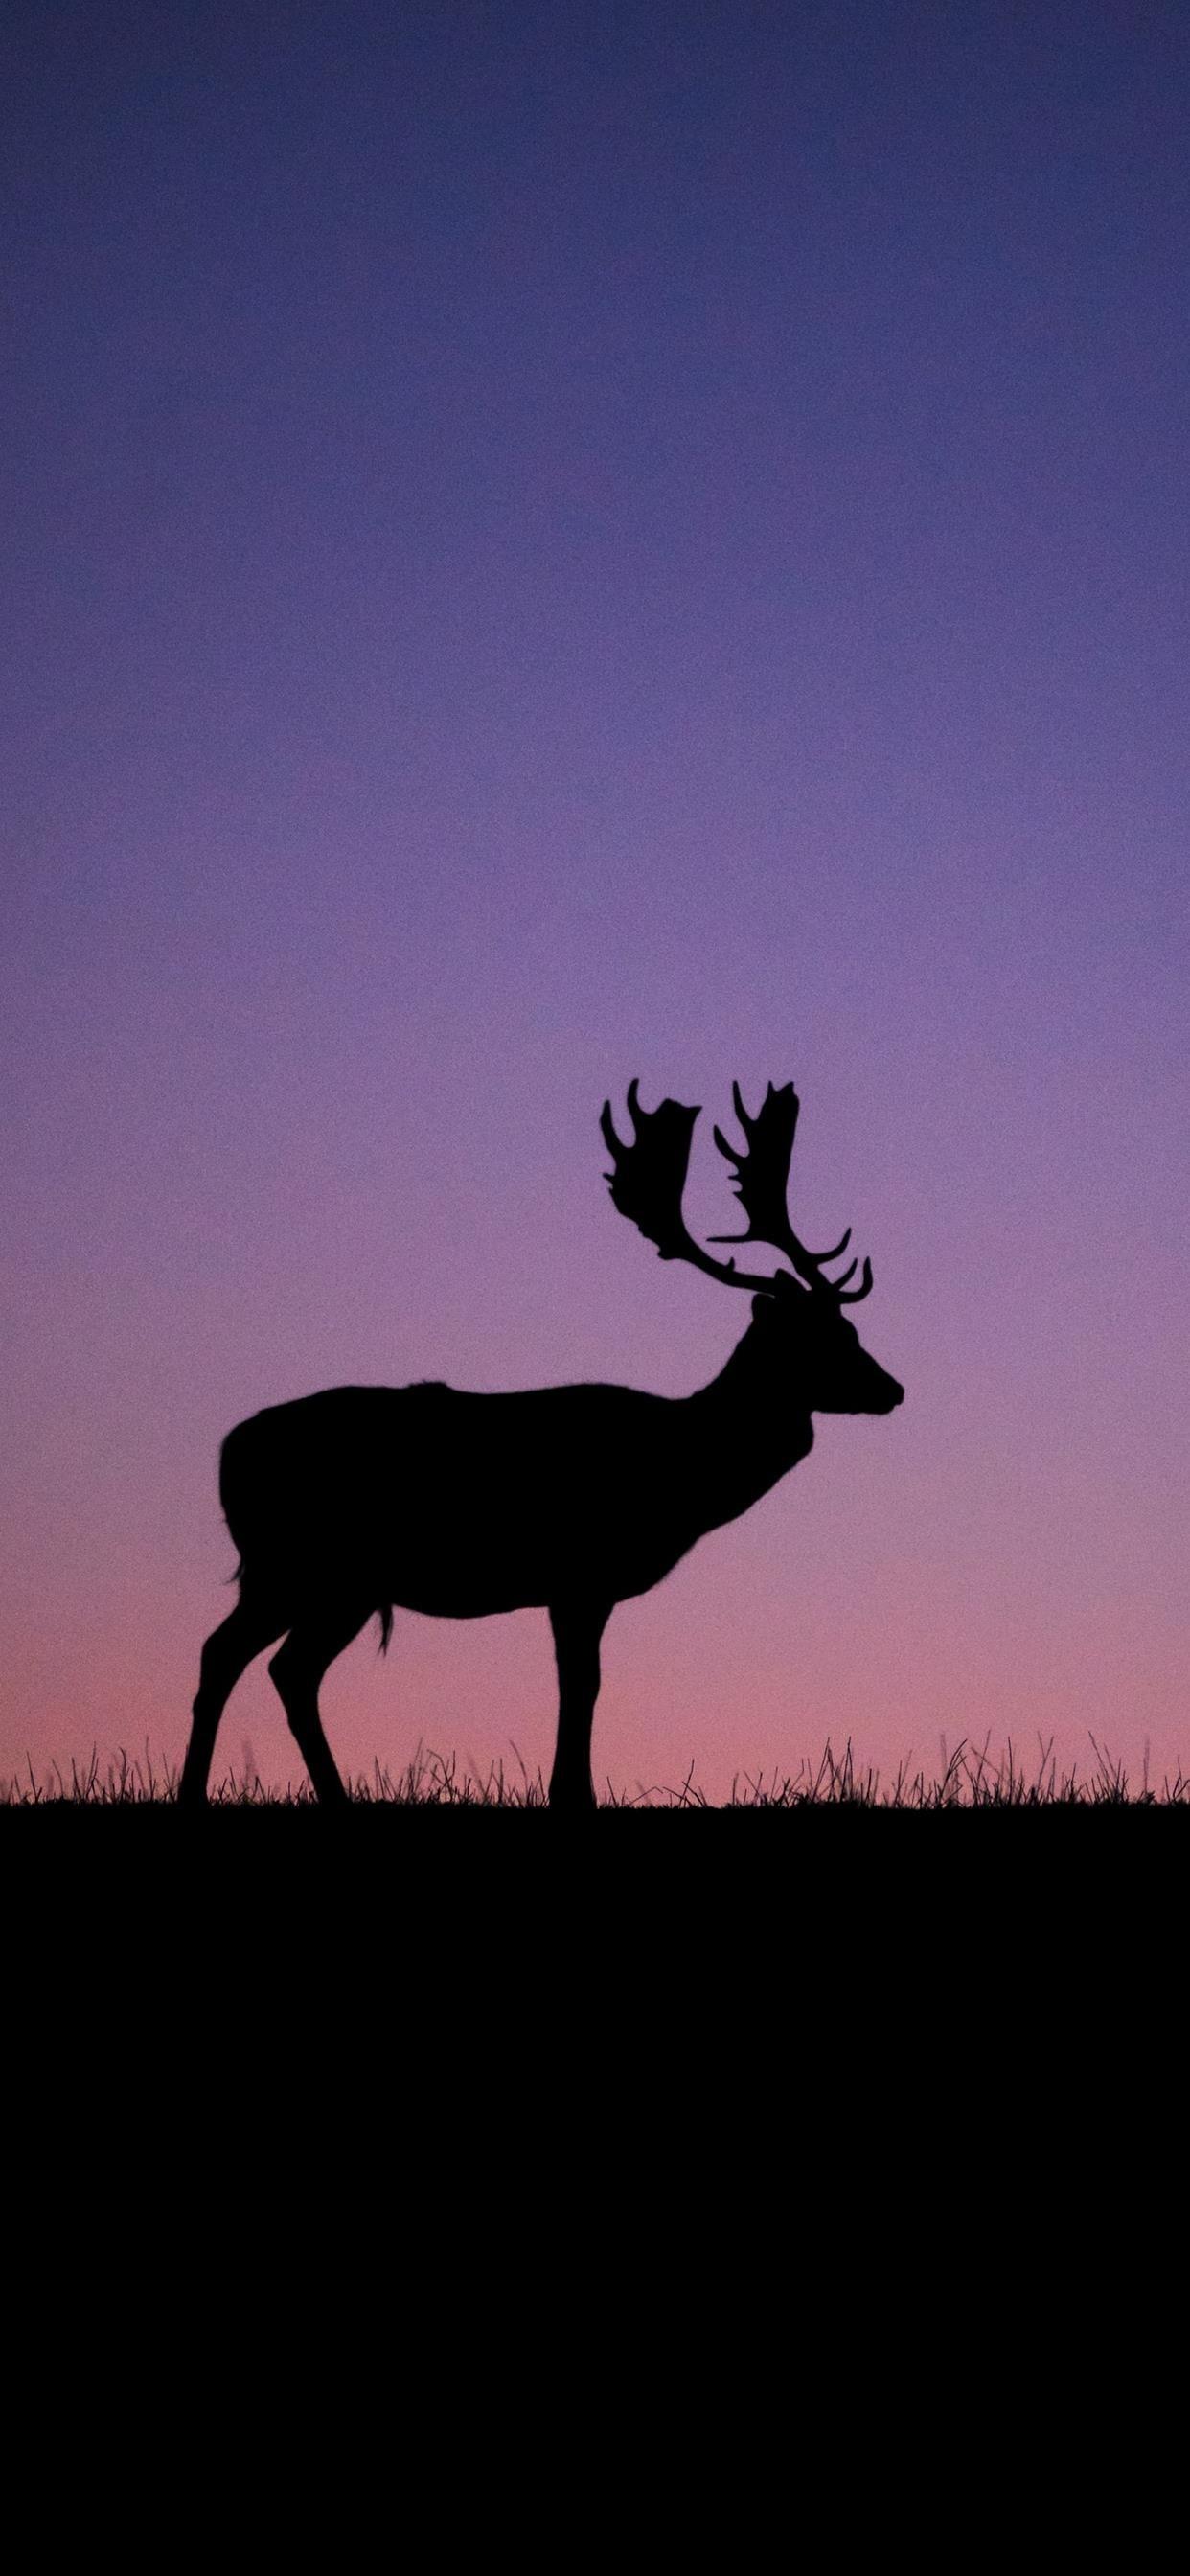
[{"x": 462, "y": 1506}]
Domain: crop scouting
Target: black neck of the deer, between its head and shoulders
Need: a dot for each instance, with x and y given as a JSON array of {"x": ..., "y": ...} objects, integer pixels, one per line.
[{"x": 751, "y": 1426}]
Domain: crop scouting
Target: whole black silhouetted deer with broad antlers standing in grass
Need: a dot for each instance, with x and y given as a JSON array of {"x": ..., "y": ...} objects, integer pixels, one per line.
[{"x": 565, "y": 1498}]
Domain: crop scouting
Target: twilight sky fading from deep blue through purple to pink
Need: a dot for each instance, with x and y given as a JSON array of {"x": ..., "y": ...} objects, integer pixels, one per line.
[{"x": 550, "y": 545}]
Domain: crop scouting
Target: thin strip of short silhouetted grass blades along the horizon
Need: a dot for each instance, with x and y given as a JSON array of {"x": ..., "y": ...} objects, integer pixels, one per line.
[{"x": 431, "y": 1781}]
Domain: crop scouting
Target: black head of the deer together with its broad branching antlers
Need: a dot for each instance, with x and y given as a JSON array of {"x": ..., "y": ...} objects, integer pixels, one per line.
[{"x": 797, "y": 1310}]
